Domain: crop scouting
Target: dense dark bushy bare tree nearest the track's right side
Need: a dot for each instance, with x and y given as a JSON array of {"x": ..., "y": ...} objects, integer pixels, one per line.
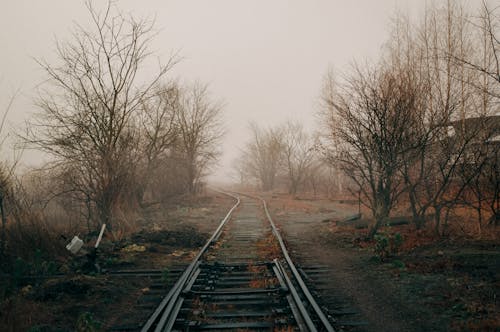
[{"x": 367, "y": 118}]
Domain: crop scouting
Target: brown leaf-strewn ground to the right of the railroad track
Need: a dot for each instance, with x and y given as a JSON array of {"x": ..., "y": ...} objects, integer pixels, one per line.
[{"x": 431, "y": 284}]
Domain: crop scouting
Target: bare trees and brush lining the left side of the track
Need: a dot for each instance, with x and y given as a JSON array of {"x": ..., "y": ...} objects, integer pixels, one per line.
[{"x": 120, "y": 133}]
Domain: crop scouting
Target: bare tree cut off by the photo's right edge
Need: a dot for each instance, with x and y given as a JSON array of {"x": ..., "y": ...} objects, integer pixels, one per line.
[{"x": 482, "y": 166}]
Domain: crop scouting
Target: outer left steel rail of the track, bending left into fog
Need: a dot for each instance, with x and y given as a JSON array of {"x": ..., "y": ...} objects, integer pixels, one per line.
[{"x": 166, "y": 306}]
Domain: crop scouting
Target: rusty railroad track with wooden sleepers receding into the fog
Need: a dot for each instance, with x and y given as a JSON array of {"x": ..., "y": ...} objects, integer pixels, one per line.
[{"x": 242, "y": 279}]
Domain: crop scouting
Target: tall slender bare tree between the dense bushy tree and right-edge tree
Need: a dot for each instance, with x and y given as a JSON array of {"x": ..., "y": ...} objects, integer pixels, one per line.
[{"x": 449, "y": 101}]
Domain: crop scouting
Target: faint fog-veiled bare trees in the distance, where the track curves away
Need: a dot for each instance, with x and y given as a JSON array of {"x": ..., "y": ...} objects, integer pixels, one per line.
[{"x": 287, "y": 157}]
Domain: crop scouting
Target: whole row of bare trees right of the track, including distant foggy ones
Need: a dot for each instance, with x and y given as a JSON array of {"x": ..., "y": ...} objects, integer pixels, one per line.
[{"x": 419, "y": 129}]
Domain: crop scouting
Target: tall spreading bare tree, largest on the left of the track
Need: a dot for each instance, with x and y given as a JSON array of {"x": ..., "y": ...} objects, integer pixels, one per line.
[{"x": 86, "y": 118}]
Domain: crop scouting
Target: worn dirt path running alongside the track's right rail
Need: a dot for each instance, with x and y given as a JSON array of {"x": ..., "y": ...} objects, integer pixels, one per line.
[{"x": 353, "y": 280}]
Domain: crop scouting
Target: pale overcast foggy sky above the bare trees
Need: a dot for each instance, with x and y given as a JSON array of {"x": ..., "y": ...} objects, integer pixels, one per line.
[{"x": 264, "y": 58}]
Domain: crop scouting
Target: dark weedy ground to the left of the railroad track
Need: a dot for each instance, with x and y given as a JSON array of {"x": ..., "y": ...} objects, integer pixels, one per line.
[{"x": 83, "y": 299}]
